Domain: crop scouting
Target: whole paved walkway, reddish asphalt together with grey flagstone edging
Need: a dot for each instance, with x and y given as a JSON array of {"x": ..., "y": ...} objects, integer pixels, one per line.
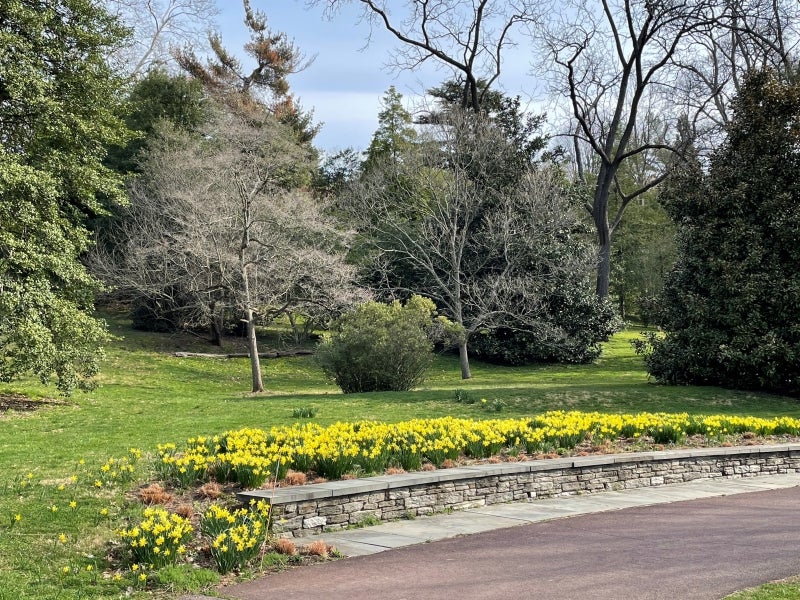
[{"x": 722, "y": 536}]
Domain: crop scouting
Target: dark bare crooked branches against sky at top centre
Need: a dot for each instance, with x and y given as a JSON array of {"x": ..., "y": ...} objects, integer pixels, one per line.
[{"x": 468, "y": 37}]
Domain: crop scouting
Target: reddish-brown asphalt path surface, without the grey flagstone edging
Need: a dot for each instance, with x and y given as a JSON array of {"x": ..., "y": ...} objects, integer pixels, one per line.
[{"x": 690, "y": 550}]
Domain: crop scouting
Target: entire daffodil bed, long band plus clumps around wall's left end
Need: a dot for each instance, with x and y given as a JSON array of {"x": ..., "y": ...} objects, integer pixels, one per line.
[{"x": 144, "y": 535}]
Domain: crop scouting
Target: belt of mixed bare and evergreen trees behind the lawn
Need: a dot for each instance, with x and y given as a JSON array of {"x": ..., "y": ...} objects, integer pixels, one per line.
[{"x": 159, "y": 168}]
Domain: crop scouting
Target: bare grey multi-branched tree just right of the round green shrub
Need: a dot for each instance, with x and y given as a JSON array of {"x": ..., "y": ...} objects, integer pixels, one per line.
[{"x": 485, "y": 250}]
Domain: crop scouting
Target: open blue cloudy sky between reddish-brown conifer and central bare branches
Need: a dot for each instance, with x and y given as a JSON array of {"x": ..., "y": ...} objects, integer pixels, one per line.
[{"x": 346, "y": 80}]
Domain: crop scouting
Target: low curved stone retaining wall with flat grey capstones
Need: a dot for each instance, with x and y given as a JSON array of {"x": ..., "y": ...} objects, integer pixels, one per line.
[{"x": 310, "y": 509}]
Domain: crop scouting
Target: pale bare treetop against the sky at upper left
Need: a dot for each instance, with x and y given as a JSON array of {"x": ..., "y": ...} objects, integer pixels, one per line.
[{"x": 158, "y": 27}]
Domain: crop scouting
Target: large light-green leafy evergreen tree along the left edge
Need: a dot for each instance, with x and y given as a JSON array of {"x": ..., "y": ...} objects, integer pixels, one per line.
[{"x": 58, "y": 113}]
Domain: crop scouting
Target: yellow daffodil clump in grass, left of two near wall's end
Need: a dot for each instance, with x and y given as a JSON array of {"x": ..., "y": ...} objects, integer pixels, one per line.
[{"x": 159, "y": 539}]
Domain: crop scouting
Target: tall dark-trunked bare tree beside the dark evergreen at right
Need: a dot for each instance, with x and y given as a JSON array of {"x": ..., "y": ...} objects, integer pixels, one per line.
[{"x": 621, "y": 61}]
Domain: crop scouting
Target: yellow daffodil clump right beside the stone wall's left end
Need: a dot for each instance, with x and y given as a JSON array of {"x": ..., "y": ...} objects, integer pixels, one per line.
[{"x": 236, "y": 535}]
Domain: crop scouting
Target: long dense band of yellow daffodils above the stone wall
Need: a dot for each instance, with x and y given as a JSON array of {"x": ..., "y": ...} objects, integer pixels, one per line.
[{"x": 252, "y": 456}]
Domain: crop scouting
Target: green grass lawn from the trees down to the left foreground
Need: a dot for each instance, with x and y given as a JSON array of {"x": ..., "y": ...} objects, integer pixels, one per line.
[{"x": 147, "y": 396}]
